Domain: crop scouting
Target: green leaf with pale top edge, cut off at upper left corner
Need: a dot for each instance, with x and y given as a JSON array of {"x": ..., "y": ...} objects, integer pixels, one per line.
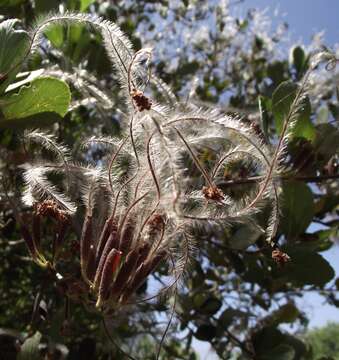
[{"x": 14, "y": 48}]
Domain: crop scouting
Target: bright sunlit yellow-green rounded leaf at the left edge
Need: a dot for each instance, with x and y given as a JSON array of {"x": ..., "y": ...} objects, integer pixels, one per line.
[{"x": 43, "y": 95}]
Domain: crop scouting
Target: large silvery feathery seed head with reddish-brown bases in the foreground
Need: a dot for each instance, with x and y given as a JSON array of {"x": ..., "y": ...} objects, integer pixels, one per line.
[{"x": 159, "y": 181}]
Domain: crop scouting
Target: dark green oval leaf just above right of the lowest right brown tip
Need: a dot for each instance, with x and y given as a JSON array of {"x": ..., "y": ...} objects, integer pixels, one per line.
[{"x": 297, "y": 207}]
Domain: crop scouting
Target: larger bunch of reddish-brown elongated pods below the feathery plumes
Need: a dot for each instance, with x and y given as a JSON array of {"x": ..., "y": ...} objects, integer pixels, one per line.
[{"x": 119, "y": 265}]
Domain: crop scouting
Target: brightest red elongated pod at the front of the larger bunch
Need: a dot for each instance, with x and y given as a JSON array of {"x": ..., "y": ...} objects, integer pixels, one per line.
[{"x": 109, "y": 270}]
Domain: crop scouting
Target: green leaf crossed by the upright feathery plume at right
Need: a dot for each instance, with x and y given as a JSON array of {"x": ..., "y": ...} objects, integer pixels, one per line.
[{"x": 282, "y": 100}]
